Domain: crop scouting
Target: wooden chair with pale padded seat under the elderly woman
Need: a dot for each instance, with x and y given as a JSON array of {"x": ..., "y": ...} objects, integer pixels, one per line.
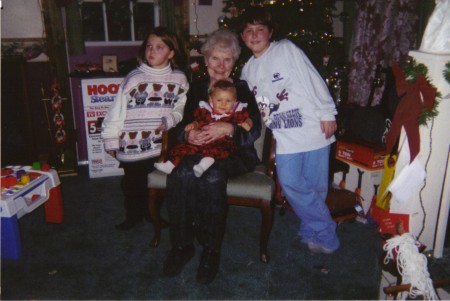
[{"x": 255, "y": 189}]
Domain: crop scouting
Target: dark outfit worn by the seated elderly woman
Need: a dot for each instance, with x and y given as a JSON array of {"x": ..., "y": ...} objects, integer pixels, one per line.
[{"x": 197, "y": 207}]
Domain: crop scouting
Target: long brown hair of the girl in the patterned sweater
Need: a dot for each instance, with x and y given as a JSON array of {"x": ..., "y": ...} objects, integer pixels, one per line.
[{"x": 180, "y": 58}]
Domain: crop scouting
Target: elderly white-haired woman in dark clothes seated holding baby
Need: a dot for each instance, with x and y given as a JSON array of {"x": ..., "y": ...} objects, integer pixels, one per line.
[{"x": 197, "y": 207}]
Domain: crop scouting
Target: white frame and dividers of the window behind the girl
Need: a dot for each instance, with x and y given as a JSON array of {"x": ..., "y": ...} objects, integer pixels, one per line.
[{"x": 132, "y": 42}]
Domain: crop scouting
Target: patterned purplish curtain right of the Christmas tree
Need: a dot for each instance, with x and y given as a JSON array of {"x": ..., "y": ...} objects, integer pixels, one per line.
[{"x": 385, "y": 32}]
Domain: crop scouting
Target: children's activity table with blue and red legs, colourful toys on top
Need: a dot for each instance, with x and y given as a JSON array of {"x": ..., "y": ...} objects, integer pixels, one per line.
[{"x": 24, "y": 189}]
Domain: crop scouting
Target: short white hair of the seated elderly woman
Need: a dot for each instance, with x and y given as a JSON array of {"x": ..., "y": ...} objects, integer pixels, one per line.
[{"x": 221, "y": 40}]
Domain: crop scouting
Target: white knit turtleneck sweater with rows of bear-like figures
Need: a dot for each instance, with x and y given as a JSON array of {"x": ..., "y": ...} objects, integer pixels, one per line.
[{"x": 147, "y": 98}]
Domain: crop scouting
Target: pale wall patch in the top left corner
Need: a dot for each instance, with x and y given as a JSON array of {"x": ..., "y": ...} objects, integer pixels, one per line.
[{"x": 21, "y": 19}]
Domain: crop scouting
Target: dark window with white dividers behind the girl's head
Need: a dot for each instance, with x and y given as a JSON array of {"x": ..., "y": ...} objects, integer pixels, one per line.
[{"x": 118, "y": 21}]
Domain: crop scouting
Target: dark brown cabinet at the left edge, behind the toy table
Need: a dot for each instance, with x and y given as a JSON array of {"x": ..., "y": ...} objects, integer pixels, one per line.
[{"x": 25, "y": 135}]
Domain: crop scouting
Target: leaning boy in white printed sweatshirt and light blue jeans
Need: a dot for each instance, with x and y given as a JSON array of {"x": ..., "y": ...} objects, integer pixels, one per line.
[{"x": 296, "y": 105}]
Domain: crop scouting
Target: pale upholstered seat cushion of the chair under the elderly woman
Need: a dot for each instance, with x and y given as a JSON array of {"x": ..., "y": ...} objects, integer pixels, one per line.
[{"x": 254, "y": 185}]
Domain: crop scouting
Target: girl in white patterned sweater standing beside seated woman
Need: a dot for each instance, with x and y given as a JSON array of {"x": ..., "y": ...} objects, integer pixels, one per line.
[{"x": 135, "y": 121}]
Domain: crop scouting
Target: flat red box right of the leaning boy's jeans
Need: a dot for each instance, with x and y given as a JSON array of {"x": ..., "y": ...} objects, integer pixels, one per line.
[{"x": 363, "y": 156}]
